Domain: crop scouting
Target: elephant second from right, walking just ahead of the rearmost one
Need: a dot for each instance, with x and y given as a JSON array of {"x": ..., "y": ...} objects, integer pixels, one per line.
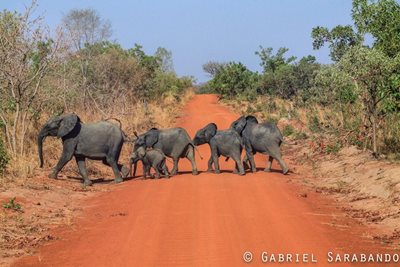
[{"x": 227, "y": 143}]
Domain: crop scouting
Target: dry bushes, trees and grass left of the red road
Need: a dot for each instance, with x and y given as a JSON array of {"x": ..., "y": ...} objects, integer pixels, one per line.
[{"x": 75, "y": 68}]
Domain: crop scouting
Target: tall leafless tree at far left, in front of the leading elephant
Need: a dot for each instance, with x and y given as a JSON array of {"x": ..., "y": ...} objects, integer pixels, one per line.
[{"x": 26, "y": 55}]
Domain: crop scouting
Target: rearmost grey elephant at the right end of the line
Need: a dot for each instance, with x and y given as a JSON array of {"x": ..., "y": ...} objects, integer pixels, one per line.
[{"x": 265, "y": 138}]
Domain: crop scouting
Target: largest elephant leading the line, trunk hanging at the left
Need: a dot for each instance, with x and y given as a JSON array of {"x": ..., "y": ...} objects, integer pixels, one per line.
[{"x": 98, "y": 141}]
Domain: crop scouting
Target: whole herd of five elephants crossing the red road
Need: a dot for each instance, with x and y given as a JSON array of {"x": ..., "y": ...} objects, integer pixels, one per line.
[{"x": 103, "y": 141}]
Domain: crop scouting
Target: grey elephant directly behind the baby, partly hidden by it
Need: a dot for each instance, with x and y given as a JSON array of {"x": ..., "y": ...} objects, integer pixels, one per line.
[{"x": 174, "y": 143}]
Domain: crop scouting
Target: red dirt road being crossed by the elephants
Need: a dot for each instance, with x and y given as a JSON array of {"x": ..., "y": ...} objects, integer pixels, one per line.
[{"x": 204, "y": 220}]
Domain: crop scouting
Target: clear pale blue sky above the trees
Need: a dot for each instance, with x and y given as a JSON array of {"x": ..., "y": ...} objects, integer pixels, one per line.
[{"x": 198, "y": 31}]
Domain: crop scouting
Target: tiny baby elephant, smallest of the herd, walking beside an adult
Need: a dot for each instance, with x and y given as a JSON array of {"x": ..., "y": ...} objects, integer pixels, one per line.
[{"x": 150, "y": 158}]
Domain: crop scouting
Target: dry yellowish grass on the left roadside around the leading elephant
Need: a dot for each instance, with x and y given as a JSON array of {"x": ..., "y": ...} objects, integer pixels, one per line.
[{"x": 139, "y": 117}]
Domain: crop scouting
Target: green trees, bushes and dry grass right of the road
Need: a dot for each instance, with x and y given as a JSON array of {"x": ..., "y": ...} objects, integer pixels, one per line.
[{"x": 354, "y": 101}]
